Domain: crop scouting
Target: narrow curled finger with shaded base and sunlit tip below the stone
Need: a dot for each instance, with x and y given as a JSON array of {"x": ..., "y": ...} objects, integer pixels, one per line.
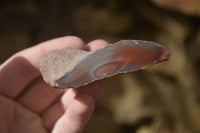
[{"x": 53, "y": 113}]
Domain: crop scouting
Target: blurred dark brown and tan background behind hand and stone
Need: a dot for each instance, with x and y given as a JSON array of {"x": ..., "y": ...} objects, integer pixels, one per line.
[{"x": 164, "y": 98}]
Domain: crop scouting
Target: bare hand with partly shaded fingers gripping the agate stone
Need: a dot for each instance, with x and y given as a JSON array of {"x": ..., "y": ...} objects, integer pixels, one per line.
[{"x": 29, "y": 105}]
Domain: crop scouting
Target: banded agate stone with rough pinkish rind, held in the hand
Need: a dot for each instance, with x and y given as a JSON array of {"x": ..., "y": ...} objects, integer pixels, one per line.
[{"x": 74, "y": 68}]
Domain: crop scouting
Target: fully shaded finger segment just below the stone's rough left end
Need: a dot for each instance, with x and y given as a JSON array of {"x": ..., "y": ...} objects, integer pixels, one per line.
[{"x": 39, "y": 96}]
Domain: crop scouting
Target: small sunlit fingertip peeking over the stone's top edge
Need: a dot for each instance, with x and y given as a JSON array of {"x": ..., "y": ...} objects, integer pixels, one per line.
[{"x": 96, "y": 44}]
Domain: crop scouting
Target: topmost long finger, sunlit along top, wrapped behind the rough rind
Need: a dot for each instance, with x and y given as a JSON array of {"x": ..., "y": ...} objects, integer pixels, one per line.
[{"x": 22, "y": 68}]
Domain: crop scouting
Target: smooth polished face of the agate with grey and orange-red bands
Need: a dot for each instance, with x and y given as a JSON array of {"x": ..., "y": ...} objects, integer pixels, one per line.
[{"x": 121, "y": 57}]
